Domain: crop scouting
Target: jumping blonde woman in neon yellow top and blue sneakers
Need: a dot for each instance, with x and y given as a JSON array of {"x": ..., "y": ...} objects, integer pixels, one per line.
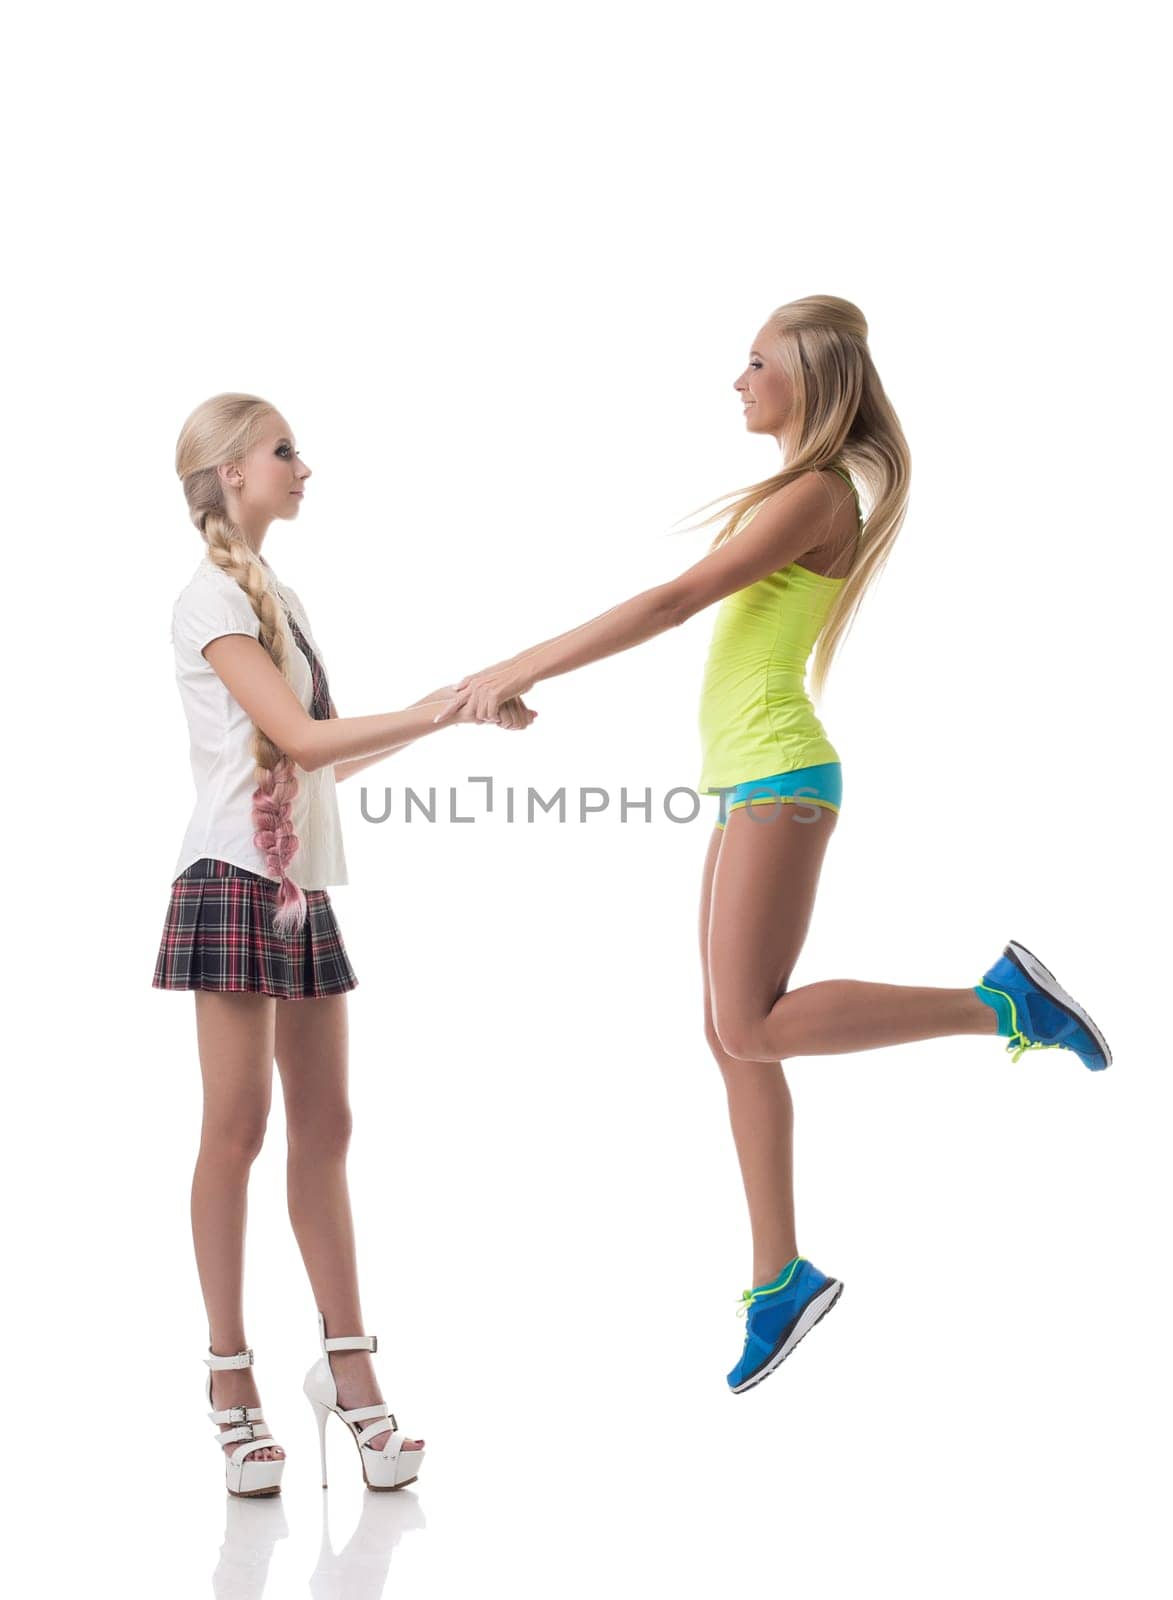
[{"x": 788, "y": 572}]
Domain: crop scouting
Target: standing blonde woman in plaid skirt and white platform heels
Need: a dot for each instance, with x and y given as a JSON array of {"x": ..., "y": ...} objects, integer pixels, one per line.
[{"x": 252, "y": 932}]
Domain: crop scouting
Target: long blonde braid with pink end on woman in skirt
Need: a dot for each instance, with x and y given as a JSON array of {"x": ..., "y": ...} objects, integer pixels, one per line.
[{"x": 220, "y": 431}]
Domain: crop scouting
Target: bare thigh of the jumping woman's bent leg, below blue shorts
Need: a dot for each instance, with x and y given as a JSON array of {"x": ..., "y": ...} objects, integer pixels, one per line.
[{"x": 764, "y": 884}]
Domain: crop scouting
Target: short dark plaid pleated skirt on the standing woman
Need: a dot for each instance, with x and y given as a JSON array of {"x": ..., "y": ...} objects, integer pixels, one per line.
[{"x": 218, "y": 935}]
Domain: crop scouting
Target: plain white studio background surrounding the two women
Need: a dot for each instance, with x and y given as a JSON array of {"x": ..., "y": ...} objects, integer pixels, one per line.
[{"x": 500, "y": 266}]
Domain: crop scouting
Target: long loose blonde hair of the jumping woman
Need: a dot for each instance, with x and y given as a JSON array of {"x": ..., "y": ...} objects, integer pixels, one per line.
[{"x": 841, "y": 415}]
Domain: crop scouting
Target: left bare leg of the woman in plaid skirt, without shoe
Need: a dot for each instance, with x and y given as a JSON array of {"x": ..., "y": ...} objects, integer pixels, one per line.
[{"x": 236, "y": 1041}]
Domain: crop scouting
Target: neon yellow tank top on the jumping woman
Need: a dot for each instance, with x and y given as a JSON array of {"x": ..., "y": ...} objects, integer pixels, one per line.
[{"x": 756, "y": 716}]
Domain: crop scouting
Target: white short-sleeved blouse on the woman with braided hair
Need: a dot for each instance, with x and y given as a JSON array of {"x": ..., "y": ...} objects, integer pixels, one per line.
[{"x": 222, "y": 735}]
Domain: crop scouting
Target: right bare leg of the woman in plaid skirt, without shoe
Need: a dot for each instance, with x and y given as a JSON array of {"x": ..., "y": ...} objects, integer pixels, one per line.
[{"x": 313, "y": 1062}]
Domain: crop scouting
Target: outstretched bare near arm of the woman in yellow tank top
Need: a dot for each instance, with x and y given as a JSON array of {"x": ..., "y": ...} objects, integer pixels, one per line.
[{"x": 788, "y": 526}]
